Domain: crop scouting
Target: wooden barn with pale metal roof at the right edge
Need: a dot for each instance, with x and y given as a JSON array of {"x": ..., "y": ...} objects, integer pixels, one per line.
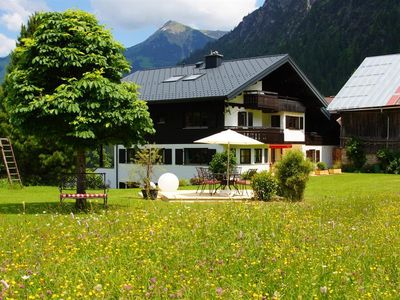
[{"x": 368, "y": 105}]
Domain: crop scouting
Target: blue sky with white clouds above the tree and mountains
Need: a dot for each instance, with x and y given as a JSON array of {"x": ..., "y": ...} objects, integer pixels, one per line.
[{"x": 131, "y": 21}]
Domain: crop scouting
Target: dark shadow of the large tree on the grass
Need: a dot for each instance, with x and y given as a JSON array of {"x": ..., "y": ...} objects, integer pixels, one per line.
[{"x": 34, "y": 208}]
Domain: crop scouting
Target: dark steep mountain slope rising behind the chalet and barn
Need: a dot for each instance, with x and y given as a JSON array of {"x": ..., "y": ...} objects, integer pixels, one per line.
[{"x": 327, "y": 38}]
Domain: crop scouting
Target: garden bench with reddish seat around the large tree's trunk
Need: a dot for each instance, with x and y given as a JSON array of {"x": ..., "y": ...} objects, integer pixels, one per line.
[{"x": 95, "y": 184}]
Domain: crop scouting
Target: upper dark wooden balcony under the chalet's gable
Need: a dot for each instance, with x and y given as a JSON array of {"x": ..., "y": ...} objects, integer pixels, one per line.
[{"x": 271, "y": 102}]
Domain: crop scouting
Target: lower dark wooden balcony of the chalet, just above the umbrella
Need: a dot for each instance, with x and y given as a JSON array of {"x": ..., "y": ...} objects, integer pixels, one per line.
[{"x": 262, "y": 134}]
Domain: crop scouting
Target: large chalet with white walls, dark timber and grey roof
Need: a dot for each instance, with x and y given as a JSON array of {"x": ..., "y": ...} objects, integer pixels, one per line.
[{"x": 267, "y": 98}]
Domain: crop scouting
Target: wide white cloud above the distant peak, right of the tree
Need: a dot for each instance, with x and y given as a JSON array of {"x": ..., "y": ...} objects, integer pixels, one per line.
[{"x": 202, "y": 14}]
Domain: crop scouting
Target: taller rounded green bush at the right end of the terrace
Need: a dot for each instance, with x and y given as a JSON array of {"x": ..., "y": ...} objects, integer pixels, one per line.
[{"x": 292, "y": 173}]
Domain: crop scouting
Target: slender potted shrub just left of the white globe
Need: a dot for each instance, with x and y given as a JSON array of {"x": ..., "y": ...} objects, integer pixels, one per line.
[{"x": 147, "y": 158}]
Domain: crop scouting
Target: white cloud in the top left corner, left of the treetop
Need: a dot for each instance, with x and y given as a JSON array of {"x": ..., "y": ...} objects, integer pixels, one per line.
[{"x": 15, "y": 12}]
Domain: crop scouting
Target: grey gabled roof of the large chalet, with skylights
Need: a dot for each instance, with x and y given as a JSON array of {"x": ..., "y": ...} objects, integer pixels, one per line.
[{"x": 227, "y": 80}]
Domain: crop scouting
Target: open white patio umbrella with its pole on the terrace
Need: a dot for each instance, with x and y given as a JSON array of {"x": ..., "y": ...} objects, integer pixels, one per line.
[{"x": 228, "y": 137}]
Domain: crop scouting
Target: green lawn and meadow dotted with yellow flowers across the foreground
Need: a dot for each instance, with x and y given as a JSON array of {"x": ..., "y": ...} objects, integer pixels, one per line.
[{"x": 343, "y": 241}]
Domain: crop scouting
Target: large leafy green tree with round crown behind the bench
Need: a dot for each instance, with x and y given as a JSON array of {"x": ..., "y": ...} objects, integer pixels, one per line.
[{"x": 65, "y": 83}]
